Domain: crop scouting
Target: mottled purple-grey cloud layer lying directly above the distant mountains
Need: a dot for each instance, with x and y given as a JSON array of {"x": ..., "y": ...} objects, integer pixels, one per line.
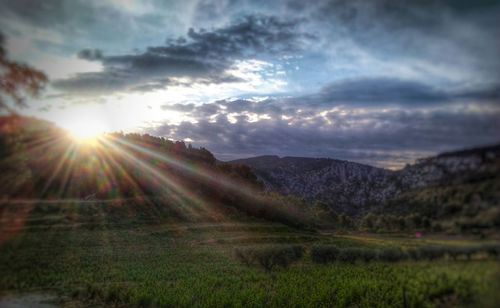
[{"x": 384, "y": 138}]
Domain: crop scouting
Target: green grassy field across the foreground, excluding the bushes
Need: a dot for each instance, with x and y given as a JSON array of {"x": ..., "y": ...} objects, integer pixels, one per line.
[{"x": 87, "y": 254}]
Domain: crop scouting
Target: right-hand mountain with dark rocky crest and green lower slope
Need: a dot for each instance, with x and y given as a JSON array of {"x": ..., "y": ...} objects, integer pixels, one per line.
[{"x": 461, "y": 189}]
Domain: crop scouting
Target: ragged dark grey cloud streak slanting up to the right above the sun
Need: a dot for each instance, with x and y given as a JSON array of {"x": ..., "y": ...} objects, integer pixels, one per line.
[{"x": 202, "y": 57}]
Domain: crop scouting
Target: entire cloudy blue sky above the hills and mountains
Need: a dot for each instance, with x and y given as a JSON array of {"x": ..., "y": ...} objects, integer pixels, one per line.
[{"x": 377, "y": 82}]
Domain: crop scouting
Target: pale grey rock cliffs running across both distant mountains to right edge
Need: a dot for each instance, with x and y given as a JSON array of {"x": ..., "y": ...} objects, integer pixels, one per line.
[{"x": 351, "y": 187}]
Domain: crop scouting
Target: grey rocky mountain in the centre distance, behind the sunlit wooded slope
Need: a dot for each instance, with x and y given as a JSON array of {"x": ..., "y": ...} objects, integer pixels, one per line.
[{"x": 344, "y": 185}]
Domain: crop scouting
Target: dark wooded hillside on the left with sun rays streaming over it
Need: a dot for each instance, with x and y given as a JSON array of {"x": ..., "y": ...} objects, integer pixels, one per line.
[{"x": 40, "y": 163}]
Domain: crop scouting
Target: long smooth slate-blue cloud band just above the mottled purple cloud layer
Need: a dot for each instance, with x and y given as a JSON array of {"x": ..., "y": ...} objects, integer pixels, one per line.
[{"x": 381, "y": 92}]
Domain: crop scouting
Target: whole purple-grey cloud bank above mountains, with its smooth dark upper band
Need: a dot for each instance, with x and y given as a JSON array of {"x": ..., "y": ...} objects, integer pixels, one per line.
[{"x": 389, "y": 137}]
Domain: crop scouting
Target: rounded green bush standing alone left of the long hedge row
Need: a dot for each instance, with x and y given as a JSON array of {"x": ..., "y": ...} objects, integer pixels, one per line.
[{"x": 270, "y": 258}]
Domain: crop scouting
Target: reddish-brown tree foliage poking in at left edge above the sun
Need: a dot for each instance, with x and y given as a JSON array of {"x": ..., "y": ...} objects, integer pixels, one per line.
[{"x": 17, "y": 80}]
